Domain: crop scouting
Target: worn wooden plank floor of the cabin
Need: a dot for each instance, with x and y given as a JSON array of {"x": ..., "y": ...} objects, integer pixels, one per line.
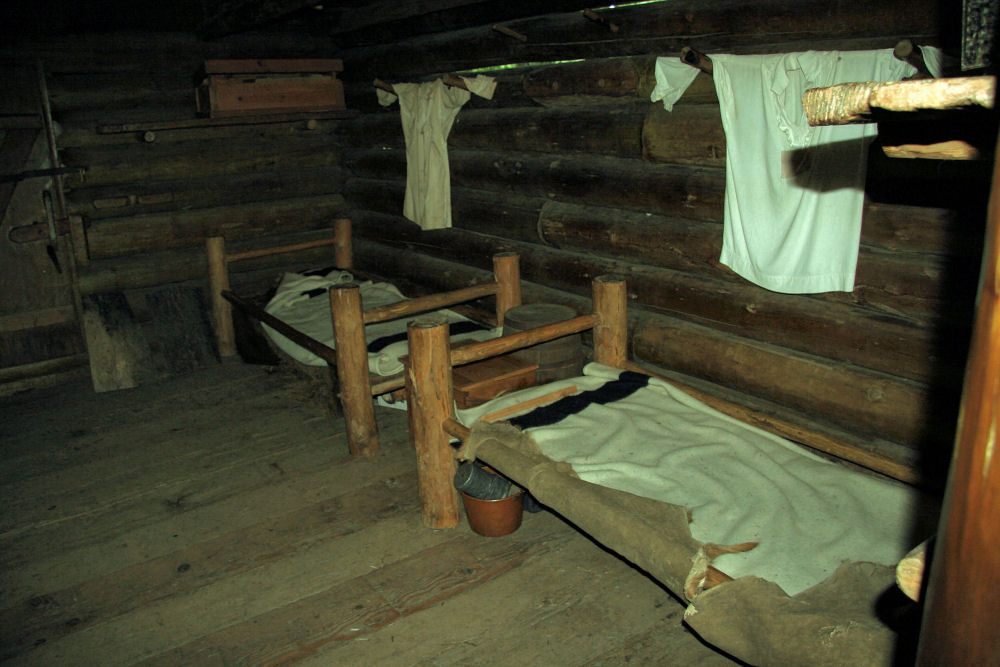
[{"x": 215, "y": 518}]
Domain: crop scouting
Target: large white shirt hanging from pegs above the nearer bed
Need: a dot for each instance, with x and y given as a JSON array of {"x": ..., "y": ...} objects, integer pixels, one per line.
[{"x": 794, "y": 193}]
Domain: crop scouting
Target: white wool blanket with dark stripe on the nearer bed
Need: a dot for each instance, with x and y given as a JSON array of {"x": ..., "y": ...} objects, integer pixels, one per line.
[{"x": 741, "y": 483}]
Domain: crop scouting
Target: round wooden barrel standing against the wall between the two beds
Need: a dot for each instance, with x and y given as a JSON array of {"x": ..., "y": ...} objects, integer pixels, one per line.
[{"x": 557, "y": 359}]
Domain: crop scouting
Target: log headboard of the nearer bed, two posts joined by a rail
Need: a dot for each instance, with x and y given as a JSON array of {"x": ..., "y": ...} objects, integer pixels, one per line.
[{"x": 431, "y": 404}]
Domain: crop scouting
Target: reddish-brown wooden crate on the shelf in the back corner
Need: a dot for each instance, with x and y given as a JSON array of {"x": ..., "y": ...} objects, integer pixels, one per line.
[{"x": 248, "y": 87}]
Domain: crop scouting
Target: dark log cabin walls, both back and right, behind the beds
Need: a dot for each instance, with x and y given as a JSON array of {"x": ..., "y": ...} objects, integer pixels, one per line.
[{"x": 570, "y": 165}]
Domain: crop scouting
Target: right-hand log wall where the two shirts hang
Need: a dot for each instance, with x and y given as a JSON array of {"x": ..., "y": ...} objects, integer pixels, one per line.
[{"x": 574, "y": 168}]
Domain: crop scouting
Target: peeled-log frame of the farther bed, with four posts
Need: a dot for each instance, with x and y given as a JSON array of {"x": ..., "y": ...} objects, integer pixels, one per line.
[{"x": 356, "y": 385}]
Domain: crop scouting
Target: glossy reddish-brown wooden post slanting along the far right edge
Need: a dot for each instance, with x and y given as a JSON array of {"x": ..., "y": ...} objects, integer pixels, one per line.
[{"x": 963, "y": 587}]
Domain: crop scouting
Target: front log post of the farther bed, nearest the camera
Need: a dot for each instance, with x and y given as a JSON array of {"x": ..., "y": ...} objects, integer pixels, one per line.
[{"x": 352, "y": 369}]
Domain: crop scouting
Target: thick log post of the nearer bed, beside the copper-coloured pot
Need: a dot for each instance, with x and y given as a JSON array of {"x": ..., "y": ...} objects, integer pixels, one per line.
[{"x": 429, "y": 404}]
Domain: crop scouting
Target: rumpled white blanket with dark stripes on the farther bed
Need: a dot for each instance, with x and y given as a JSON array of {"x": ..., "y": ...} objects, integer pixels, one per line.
[{"x": 303, "y": 302}]
